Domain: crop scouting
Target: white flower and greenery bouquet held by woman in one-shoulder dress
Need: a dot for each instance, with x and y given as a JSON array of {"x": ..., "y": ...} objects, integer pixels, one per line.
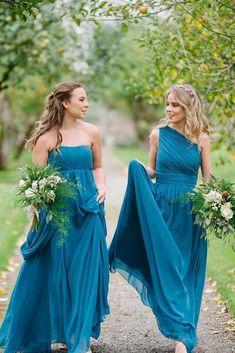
[{"x": 214, "y": 208}]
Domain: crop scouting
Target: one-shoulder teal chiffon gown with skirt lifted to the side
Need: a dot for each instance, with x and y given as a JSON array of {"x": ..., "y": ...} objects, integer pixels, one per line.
[{"x": 157, "y": 247}]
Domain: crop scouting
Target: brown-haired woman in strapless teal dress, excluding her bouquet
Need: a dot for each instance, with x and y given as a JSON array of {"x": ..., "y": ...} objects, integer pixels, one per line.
[{"x": 60, "y": 296}]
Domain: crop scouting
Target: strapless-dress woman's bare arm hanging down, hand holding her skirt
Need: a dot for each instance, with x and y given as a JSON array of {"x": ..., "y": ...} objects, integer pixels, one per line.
[{"x": 99, "y": 175}]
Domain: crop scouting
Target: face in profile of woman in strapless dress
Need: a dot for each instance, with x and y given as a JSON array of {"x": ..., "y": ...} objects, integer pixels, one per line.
[{"x": 78, "y": 104}]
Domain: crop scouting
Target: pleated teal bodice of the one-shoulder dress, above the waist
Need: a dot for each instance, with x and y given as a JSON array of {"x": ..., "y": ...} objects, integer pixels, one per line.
[{"x": 178, "y": 159}]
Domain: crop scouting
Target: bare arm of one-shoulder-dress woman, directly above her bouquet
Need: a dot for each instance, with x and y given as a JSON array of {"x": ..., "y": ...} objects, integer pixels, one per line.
[{"x": 206, "y": 160}]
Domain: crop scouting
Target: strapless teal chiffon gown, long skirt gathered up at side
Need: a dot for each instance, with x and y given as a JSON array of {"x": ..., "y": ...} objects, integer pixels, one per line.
[{"x": 61, "y": 293}]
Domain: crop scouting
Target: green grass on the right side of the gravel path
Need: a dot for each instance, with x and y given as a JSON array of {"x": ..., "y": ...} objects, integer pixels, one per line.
[{"x": 221, "y": 258}]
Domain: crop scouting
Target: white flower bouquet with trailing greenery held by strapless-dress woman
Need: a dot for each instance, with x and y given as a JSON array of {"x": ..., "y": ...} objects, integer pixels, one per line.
[{"x": 43, "y": 188}]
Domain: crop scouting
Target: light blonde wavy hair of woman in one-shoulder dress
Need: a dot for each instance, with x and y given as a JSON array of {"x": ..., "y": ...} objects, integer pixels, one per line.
[{"x": 188, "y": 98}]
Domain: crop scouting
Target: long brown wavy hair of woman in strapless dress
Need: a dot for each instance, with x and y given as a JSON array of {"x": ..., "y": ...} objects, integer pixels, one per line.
[{"x": 53, "y": 114}]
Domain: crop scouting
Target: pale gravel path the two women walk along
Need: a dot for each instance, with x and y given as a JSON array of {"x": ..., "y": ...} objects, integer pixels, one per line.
[{"x": 131, "y": 327}]
